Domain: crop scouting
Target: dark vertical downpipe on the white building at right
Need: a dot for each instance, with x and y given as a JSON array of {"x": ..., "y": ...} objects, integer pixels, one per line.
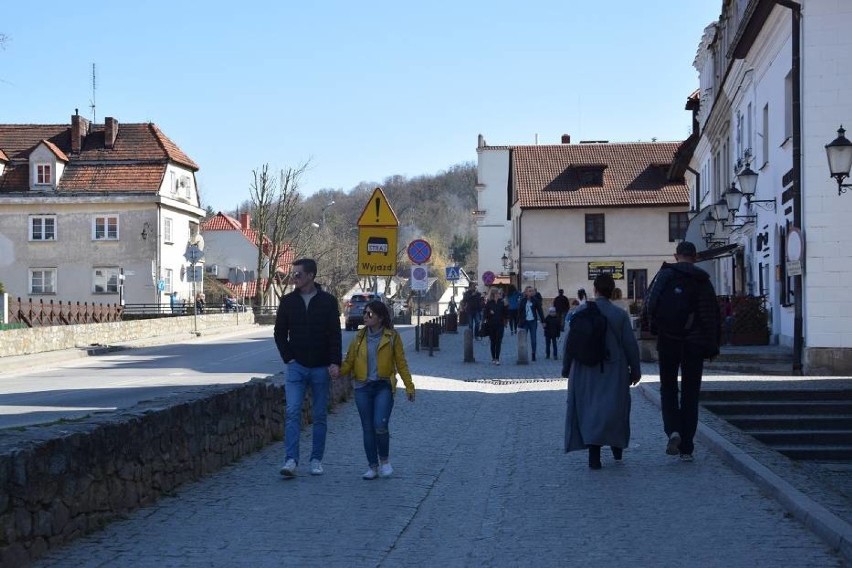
[{"x": 798, "y": 335}]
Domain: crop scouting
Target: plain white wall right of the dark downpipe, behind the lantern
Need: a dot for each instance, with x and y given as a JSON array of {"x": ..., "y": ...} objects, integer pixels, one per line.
[{"x": 827, "y": 84}]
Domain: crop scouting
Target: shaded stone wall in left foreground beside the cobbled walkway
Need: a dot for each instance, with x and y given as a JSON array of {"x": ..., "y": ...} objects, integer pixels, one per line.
[{"x": 61, "y": 481}]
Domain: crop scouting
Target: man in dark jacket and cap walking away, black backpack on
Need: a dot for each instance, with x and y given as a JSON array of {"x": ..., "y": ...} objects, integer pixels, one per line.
[{"x": 682, "y": 311}]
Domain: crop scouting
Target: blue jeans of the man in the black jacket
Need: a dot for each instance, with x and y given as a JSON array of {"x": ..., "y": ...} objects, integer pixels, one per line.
[{"x": 299, "y": 378}]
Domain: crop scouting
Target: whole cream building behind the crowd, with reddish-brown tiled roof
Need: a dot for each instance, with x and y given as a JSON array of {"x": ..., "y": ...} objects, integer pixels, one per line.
[{"x": 568, "y": 212}]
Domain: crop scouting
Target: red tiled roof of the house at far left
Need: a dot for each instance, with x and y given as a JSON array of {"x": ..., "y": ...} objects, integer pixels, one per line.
[{"x": 136, "y": 162}]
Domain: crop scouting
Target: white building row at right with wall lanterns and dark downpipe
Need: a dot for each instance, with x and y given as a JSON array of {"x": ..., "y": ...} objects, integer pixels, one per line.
[{"x": 758, "y": 111}]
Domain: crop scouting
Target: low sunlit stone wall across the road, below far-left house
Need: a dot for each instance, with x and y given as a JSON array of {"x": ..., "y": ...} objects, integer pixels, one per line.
[{"x": 28, "y": 341}]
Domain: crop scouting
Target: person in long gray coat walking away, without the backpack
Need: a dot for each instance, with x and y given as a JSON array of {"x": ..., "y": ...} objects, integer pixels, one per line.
[{"x": 599, "y": 397}]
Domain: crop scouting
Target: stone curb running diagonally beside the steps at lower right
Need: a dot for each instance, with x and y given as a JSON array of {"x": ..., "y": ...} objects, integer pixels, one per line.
[{"x": 822, "y": 522}]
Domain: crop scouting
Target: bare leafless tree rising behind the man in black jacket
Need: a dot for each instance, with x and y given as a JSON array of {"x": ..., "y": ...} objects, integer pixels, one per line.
[{"x": 278, "y": 231}]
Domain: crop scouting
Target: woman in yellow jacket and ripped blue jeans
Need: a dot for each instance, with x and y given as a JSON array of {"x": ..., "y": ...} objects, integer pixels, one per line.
[{"x": 373, "y": 359}]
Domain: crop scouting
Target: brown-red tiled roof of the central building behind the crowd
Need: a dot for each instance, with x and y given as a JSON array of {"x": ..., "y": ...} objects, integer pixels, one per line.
[{"x": 634, "y": 174}]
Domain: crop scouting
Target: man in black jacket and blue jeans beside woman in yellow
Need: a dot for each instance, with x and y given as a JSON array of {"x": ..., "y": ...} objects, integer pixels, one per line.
[{"x": 307, "y": 333}]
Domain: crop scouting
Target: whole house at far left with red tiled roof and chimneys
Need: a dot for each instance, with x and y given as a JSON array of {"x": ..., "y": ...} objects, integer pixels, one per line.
[{"x": 95, "y": 213}]
